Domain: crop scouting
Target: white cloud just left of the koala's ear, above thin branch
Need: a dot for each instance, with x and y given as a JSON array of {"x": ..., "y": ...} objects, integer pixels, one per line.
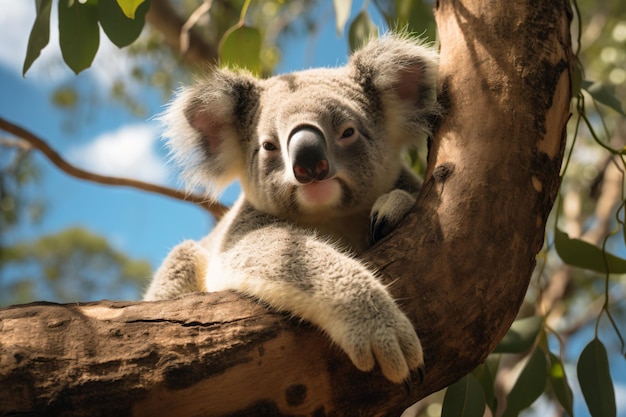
[{"x": 127, "y": 152}]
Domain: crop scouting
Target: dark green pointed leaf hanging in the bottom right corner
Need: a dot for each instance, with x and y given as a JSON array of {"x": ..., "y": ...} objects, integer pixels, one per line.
[{"x": 595, "y": 380}]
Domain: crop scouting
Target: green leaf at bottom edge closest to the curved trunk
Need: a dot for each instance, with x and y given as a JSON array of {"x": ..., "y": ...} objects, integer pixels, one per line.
[{"x": 464, "y": 398}]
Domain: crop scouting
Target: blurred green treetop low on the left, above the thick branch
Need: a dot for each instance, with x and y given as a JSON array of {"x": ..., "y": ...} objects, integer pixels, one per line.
[{"x": 76, "y": 265}]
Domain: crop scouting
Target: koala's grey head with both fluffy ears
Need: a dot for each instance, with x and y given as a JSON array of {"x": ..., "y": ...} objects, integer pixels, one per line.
[{"x": 322, "y": 141}]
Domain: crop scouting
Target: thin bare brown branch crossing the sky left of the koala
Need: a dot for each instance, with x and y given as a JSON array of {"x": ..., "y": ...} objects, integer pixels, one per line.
[{"x": 215, "y": 208}]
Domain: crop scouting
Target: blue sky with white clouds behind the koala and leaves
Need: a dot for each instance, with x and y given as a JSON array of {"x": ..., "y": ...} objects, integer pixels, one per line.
[{"x": 109, "y": 140}]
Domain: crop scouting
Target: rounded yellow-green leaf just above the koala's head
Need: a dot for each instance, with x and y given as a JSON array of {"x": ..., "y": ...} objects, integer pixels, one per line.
[{"x": 241, "y": 48}]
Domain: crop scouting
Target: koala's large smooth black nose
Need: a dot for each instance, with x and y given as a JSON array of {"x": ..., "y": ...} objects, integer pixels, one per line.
[{"x": 307, "y": 151}]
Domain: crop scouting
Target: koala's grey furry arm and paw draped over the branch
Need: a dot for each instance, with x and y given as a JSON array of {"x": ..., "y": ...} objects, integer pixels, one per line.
[{"x": 296, "y": 271}]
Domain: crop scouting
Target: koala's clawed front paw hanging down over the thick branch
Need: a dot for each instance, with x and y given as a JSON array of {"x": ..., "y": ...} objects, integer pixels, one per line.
[{"x": 385, "y": 335}]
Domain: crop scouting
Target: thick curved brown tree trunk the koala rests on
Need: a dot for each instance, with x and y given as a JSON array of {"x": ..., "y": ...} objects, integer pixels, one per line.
[{"x": 460, "y": 265}]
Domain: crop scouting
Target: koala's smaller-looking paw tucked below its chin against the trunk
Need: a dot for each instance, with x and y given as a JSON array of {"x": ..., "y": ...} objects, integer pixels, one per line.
[{"x": 387, "y": 212}]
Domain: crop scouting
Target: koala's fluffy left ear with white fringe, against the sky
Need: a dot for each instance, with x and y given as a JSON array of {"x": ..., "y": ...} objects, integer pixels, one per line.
[{"x": 205, "y": 128}]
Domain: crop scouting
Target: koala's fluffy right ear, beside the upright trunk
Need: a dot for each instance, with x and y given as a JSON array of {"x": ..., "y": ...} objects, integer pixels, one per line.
[{"x": 403, "y": 72}]
